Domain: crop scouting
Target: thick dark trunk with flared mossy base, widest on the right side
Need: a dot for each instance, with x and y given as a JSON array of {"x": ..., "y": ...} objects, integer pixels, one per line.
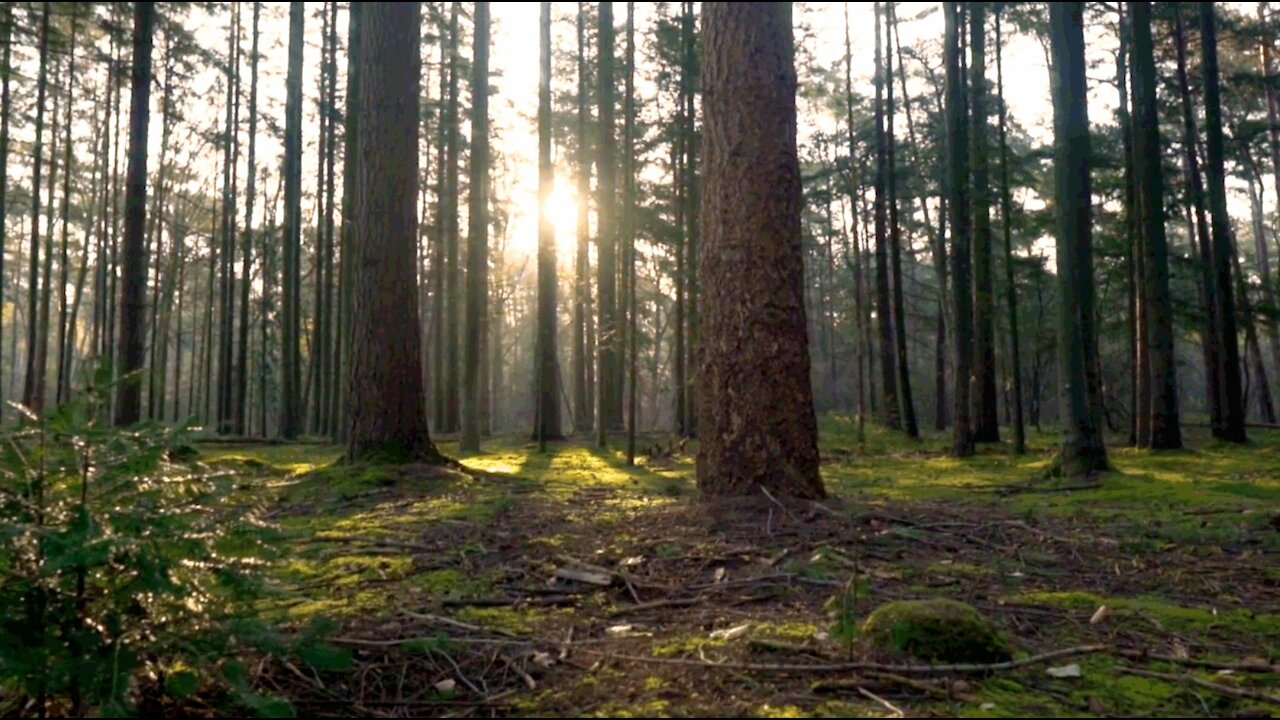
[{"x": 1082, "y": 454}]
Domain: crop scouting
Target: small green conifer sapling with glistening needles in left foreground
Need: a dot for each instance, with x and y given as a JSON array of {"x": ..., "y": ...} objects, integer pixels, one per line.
[{"x": 129, "y": 573}]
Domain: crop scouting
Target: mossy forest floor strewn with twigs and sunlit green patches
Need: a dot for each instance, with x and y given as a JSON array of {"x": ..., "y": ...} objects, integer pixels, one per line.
[{"x": 572, "y": 585}]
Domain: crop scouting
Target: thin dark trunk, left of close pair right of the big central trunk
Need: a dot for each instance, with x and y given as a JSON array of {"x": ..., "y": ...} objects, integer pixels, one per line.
[{"x": 890, "y": 409}]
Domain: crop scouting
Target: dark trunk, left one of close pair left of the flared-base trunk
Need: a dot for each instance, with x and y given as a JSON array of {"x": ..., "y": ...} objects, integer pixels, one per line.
[{"x": 958, "y": 204}]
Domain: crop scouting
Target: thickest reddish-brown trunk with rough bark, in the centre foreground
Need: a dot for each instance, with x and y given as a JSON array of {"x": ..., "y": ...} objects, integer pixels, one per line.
[{"x": 757, "y": 425}]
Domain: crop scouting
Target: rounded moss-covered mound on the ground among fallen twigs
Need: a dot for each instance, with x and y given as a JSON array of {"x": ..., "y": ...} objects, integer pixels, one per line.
[{"x": 941, "y": 631}]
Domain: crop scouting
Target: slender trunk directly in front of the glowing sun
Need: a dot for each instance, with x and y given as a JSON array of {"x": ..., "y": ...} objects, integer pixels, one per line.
[{"x": 547, "y": 413}]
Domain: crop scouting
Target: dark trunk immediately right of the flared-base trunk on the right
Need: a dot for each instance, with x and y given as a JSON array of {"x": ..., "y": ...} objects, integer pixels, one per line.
[{"x": 1150, "y": 188}]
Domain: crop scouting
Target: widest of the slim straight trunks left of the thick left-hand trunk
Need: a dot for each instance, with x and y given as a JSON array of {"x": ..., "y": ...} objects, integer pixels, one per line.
[{"x": 291, "y": 366}]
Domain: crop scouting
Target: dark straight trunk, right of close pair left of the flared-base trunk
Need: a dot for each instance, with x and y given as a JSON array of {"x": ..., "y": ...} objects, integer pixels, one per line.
[{"x": 986, "y": 420}]
